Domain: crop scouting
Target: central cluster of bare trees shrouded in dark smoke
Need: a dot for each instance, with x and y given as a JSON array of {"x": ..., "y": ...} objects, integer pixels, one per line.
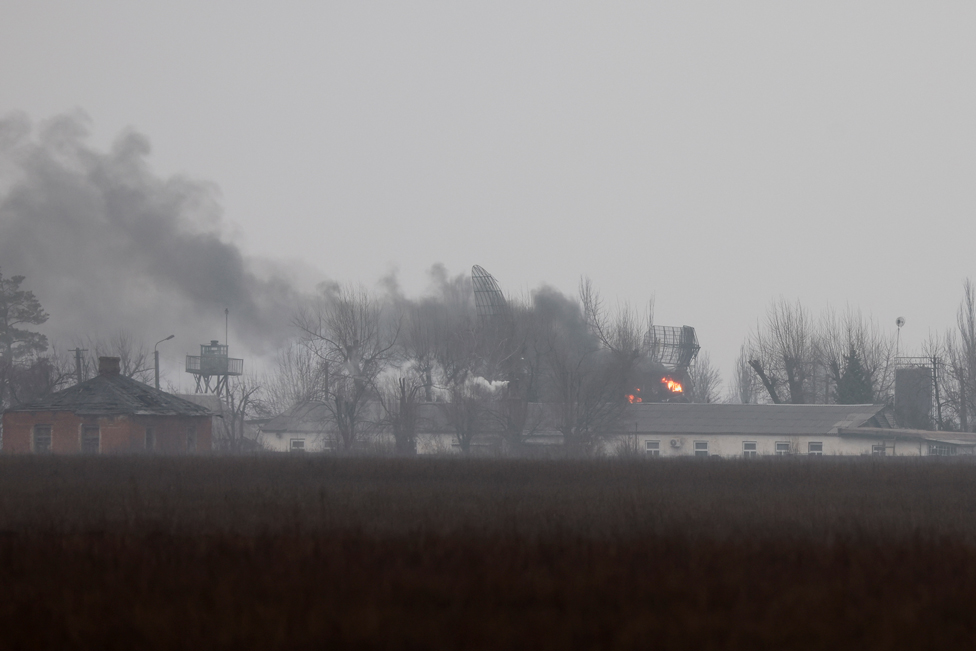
[{"x": 372, "y": 360}]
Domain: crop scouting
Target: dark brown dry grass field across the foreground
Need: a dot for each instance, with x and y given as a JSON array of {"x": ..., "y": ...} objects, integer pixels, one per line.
[{"x": 312, "y": 552}]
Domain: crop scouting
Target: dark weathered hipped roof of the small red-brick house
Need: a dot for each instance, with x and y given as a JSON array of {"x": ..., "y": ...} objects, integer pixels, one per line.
[{"x": 113, "y": 394}]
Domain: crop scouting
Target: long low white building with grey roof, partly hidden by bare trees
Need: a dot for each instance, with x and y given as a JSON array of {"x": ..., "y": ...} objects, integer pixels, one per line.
[{"x": 661, "y": 429}]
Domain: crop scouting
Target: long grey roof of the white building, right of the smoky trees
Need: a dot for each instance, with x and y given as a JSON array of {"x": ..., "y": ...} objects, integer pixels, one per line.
[{"x": 718, "y": 418}]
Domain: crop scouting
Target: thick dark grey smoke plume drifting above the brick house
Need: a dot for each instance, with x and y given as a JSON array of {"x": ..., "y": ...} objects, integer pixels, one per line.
[{"x": 106, "y": 244}]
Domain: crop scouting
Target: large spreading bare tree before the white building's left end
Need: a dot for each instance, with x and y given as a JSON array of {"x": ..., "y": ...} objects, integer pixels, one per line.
[{"x": 348, "y": 330}]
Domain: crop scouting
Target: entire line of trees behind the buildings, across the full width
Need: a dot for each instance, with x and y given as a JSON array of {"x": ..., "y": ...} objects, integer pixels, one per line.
[{"x": 369, "y": 359}]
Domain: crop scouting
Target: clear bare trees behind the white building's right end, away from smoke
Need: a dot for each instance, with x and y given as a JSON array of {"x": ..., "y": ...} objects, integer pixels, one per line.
[{"x": 793, "y": 356}]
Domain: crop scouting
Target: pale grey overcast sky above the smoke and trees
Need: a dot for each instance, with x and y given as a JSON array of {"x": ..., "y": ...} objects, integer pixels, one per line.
[{"x": 715, "y": 155}]
